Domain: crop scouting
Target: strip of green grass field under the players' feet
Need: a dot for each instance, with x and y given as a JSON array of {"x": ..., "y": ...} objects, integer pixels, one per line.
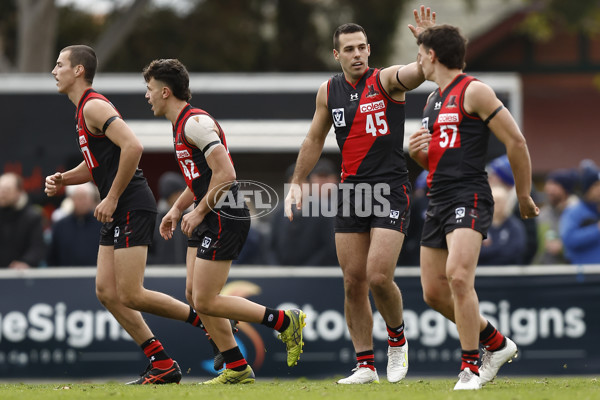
[{"x": 575, "y": 388}]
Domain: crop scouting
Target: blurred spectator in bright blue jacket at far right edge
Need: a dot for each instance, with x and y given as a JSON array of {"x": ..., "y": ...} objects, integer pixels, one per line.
[{"x": 580, "y": 222}]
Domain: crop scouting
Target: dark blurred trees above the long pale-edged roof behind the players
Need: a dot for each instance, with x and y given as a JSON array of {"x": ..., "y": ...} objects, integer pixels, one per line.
[{"x": 211, "y": 35}]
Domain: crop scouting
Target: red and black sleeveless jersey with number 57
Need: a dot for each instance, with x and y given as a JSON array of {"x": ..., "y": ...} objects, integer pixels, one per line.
[{"x": 458, "y": 147}]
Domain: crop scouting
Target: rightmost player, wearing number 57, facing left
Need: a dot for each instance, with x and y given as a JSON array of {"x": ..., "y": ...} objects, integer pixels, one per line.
[{"x": 452, "y": 145}]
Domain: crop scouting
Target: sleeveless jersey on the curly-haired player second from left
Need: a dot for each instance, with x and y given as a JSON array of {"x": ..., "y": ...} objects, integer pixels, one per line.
[{"x": 191, "y": 159}]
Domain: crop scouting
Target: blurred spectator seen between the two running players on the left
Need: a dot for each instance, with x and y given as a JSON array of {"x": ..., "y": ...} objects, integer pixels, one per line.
[{"x": 168, "y": 252}]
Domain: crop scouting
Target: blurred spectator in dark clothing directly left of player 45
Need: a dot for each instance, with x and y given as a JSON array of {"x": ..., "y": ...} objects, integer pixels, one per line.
[{"x": 309, "y": 240}]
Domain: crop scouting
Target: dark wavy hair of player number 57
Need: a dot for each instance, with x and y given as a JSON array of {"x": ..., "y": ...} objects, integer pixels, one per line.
[{"x": 447, "y": 42}]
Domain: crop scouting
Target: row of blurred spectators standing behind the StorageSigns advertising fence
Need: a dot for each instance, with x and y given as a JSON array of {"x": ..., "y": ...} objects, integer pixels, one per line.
[{"x": 566, "y": 232}]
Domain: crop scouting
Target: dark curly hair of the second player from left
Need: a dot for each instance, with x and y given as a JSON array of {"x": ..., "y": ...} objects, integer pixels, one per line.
[{"x": 173, "y": 73}]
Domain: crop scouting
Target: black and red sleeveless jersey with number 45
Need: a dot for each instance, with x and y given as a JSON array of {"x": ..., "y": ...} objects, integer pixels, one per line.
[{"x": 369, "y": 129}]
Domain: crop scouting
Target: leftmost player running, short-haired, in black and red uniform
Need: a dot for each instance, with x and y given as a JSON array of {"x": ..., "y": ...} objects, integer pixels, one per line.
[{"x": 111, "y": 153}]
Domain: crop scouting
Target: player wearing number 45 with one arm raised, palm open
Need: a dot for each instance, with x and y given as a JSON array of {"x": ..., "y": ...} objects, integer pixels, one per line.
[{"x": 366, "y": 108}]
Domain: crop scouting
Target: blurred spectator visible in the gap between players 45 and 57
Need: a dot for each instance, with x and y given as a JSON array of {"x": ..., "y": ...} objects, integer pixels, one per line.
[{"x": 410, "y": 254}]
